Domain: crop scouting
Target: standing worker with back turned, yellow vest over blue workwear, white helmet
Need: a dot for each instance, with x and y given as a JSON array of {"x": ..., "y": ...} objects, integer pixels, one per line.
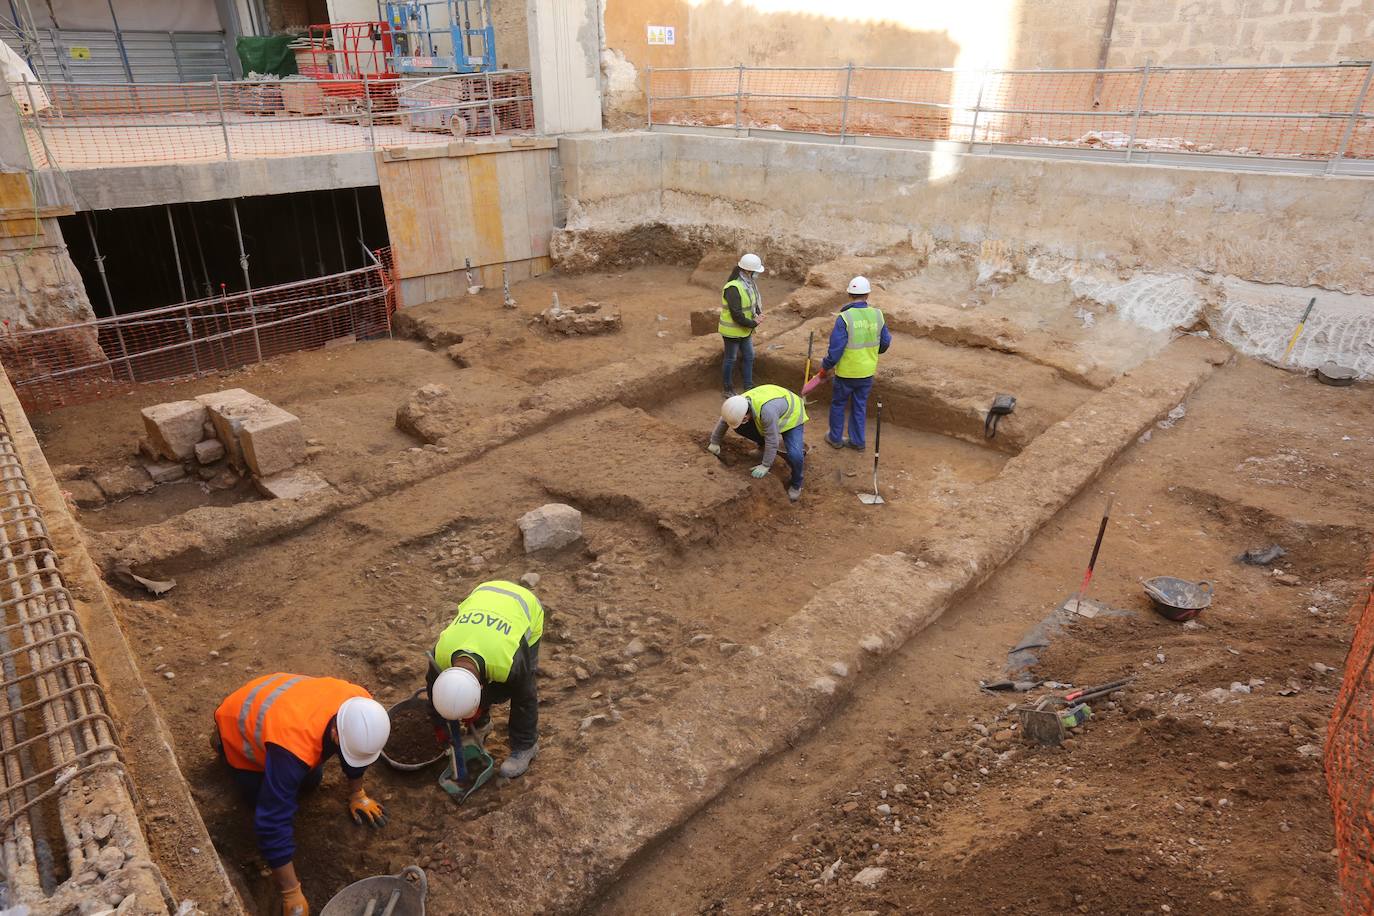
[{"x": 859, "y": 336}]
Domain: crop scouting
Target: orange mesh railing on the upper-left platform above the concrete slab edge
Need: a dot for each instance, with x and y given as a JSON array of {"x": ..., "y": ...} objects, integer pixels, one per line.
[{"x": 87, "y": 126}]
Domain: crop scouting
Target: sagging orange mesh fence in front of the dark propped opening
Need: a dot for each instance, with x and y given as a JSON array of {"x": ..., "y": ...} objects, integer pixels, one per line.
[{"x": 93, "y": 360}]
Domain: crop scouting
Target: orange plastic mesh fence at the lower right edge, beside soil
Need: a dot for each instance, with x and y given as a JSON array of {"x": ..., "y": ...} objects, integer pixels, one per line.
[{"x": 1350, "y": 762}]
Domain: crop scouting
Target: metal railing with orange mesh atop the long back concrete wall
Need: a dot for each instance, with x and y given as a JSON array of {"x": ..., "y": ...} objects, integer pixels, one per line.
[{"x": 1321, "y": 112}]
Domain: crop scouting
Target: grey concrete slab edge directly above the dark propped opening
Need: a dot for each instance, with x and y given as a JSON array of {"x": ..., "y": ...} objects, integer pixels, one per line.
[{"x": 192, "y": 182}]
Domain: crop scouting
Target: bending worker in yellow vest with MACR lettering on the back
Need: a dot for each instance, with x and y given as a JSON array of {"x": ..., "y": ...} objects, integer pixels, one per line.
[{"x": 488, "y": 654}]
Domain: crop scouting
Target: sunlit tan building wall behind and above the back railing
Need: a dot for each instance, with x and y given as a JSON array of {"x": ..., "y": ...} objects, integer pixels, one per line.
[{"x": 998, "y": 34}]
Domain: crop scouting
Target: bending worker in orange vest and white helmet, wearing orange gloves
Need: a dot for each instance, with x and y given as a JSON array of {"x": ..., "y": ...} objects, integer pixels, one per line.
[{"x": 275, "y": 733}]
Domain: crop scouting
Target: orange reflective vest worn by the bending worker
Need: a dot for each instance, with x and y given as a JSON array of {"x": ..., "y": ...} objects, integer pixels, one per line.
[{"x": 288, "y": 711}]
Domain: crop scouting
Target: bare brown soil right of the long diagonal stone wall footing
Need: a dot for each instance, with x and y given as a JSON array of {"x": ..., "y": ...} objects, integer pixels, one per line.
[{"x": 1169, "y": 797}]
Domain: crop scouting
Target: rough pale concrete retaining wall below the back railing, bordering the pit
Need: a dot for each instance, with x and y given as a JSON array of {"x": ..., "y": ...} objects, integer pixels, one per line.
[{"x": 1162, "y": 247}]
